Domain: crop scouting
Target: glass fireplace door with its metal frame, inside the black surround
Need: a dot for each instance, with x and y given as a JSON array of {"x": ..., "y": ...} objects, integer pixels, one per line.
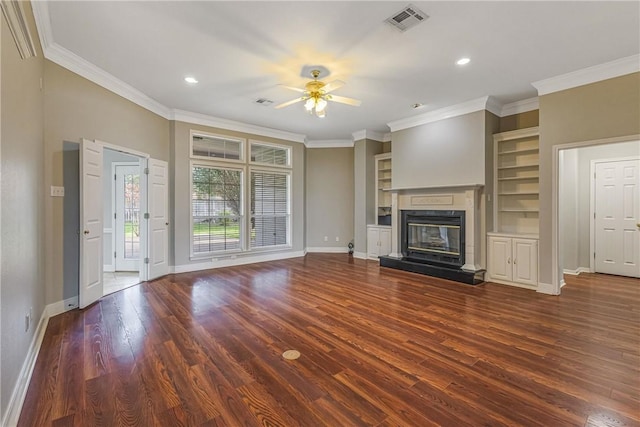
[{"x": 434, "y": 238}]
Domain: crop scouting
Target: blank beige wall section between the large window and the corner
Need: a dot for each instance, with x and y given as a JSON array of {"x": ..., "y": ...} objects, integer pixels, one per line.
[{"x": 330, "y": 203}]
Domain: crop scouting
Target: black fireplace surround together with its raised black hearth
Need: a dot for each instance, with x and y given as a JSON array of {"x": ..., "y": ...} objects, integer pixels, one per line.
[{"x": 433, "y": 243}]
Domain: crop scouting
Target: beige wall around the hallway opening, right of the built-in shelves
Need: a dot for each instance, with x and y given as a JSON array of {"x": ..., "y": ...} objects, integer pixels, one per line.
[{"x": 606, "y": 109}]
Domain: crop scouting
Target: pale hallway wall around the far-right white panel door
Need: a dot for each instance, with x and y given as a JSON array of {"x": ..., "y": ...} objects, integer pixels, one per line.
[{"x": 574, "y": 201}]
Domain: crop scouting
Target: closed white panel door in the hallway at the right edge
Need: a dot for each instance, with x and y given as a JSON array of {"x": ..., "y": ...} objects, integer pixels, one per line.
[{"x": 617, "y": 218}]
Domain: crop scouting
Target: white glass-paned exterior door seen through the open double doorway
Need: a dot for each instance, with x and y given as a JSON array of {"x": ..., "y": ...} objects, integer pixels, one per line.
[{"x": 127, "y": 217}]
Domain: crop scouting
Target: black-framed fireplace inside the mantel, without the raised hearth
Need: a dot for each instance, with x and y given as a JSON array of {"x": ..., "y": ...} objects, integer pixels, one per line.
[{"x": 433, "y": 237}]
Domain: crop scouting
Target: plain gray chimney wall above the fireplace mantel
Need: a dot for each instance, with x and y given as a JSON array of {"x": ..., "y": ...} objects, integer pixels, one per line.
[{"x": 442, "y": 153}]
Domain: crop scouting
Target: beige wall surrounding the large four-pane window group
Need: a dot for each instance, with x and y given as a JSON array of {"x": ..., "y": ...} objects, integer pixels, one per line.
[{"x": 181, "y": 196}]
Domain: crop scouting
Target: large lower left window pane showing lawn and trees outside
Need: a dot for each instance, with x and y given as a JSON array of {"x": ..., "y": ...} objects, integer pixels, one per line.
[{"x": 216, "y": 209}]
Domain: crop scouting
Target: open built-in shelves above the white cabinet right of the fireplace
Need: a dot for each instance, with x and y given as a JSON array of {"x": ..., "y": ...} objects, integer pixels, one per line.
[{"x": 516, "y": 181}]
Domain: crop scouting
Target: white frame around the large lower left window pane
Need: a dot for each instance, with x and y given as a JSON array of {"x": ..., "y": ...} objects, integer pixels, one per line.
[{"x": 242, "y": 220}]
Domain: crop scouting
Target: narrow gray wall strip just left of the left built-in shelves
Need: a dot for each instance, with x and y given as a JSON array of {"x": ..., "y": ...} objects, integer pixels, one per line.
[{"x": 364, "y": 169}]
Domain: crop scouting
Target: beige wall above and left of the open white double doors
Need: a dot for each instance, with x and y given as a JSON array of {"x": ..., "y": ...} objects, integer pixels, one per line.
[{"x": 76, "y": 108}]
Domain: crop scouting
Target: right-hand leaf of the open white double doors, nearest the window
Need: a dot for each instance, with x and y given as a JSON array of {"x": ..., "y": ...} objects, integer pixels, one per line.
[{"x": 158, "y": 209}]
